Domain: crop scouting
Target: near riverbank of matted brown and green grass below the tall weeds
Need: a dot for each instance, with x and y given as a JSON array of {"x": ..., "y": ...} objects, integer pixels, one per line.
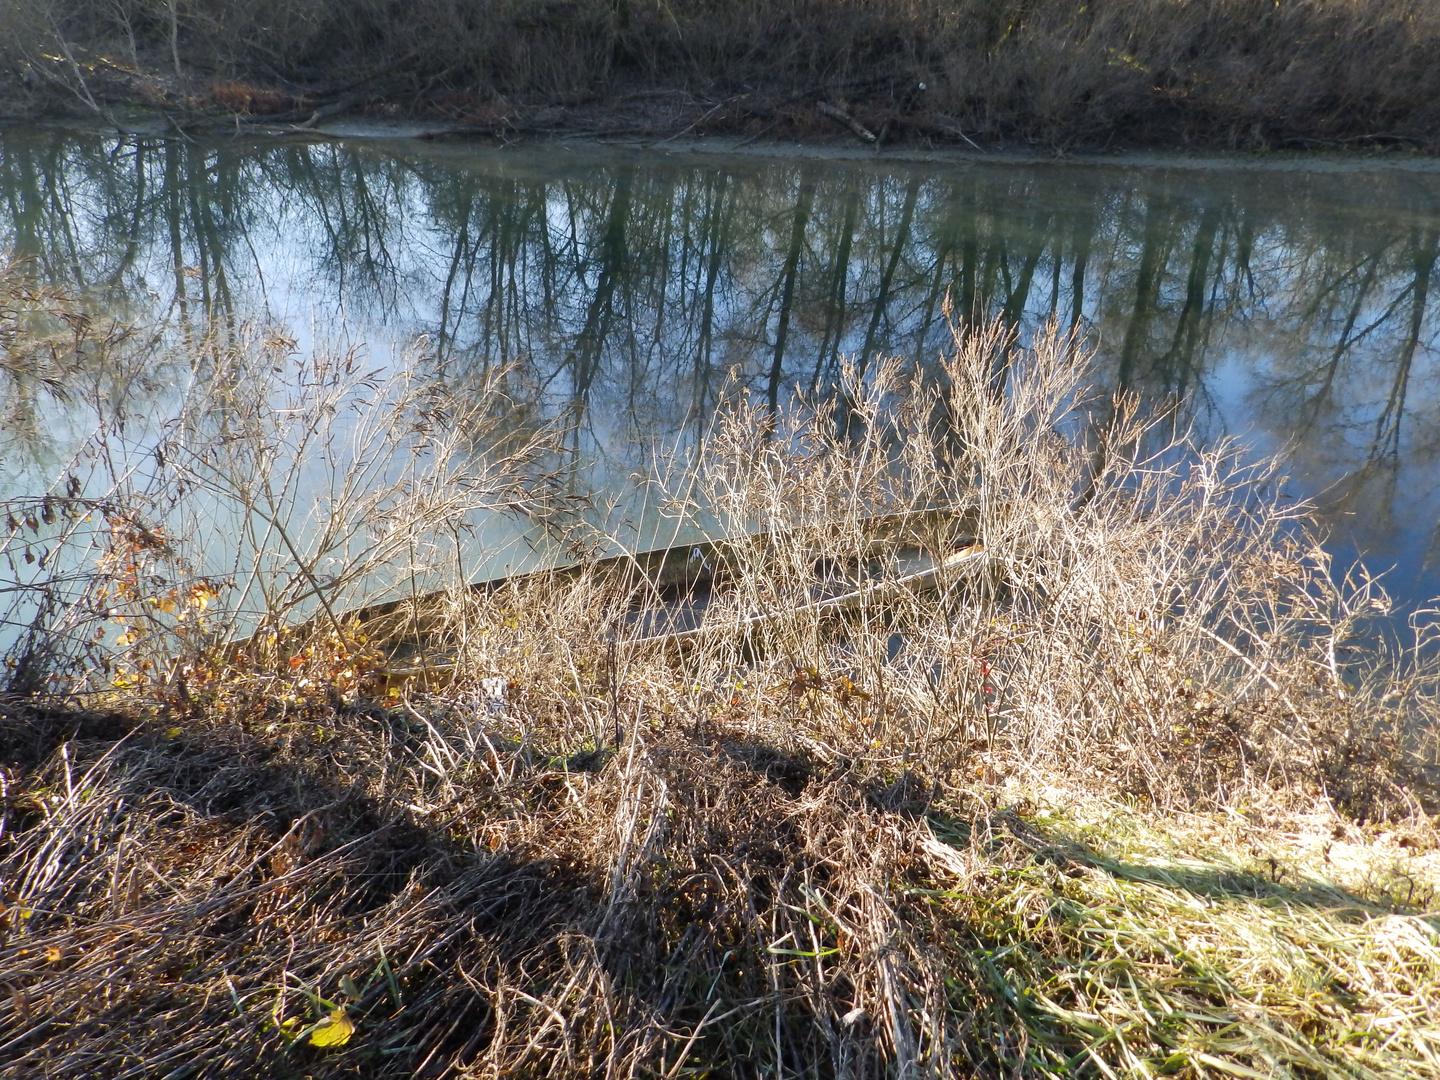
[{"x": 391, "y": 892}]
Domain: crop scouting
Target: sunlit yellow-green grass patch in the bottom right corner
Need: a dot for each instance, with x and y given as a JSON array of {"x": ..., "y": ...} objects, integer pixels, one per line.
[{"x": 1209, "y": 945}]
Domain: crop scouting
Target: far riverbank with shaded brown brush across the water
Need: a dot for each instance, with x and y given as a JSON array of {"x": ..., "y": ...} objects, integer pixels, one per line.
[{"x": 1219, "y": 76}]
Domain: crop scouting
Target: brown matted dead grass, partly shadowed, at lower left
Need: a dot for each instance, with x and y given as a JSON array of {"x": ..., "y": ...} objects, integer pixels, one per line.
[{"x": 230, "y": 892}]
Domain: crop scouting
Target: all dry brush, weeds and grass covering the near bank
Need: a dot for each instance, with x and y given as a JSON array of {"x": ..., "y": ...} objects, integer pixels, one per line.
[{"x": 1099, "y": 798}]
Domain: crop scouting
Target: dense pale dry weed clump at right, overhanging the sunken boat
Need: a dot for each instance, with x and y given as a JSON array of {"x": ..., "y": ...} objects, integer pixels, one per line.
[{"x": 1133, "y": 606}]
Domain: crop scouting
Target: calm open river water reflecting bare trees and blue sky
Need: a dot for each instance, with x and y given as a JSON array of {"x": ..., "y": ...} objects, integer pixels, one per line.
[{"x": 1292, "y": 307}]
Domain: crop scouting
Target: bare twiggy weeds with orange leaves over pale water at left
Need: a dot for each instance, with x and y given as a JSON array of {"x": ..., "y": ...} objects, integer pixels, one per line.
[{"x": 280, "y": 492}]
